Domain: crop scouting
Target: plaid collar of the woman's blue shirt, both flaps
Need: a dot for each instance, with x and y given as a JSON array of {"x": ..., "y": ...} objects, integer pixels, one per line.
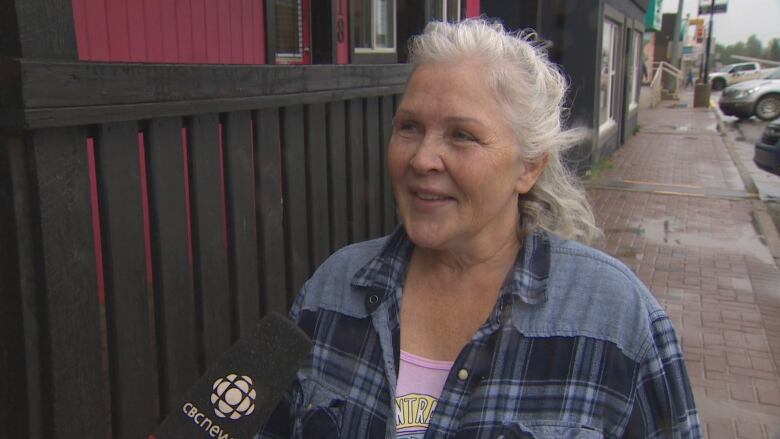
[{"x": 527, "y": 282}]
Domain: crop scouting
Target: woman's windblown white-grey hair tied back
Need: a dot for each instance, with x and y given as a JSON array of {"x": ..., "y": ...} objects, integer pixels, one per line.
[{"x": 531, "y": 91}]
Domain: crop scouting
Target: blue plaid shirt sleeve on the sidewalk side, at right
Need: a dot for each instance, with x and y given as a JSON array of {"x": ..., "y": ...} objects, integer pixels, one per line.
[{"x": 664, "y": 405}]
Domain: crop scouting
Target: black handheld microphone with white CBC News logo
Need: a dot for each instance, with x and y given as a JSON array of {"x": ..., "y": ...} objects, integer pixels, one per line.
[{"x": 235, "y": 397}]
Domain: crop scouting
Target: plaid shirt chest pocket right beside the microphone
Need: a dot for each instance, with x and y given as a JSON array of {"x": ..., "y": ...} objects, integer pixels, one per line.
[{"x": 320, "y": 413}]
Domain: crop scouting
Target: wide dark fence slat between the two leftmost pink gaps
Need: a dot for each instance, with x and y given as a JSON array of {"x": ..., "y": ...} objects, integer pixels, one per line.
[{"x": 128, "y": 308}]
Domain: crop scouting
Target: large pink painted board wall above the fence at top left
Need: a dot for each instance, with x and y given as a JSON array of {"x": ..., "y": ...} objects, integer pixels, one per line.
[{"x": 171, "y": 31}]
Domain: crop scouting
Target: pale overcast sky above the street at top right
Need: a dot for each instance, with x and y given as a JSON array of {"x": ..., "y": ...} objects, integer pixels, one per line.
[{"x": 744, "y": 18}]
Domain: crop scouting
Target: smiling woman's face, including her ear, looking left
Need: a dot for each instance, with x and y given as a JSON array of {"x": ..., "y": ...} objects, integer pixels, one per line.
[{"x": 454, "y": 160}]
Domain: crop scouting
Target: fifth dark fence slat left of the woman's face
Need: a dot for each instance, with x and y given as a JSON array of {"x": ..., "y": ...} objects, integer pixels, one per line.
[{"x": 317, "y": 163}]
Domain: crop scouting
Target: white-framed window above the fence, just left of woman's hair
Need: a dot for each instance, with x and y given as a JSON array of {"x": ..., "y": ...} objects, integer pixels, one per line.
[{"x": 374, "y": 25}]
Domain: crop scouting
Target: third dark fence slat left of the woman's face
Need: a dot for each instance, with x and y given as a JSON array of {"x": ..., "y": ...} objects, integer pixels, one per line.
[{"x": 357, "y": 176}]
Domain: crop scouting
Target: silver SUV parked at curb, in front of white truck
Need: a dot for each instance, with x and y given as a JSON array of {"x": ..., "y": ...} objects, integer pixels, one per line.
[{"x": 760, "y": 97}]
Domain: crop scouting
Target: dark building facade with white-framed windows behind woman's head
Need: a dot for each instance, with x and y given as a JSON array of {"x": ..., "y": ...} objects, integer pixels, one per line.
[{"x": 599, "y": 45}]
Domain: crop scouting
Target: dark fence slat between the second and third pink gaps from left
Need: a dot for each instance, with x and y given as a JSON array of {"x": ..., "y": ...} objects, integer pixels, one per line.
[{"x": 173, "y": 276}]
